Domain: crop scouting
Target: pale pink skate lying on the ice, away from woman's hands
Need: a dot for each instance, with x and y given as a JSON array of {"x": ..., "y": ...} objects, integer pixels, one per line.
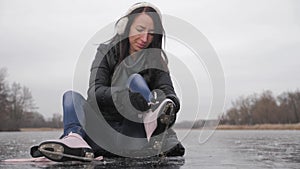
[{"x": 70, "y": 148}]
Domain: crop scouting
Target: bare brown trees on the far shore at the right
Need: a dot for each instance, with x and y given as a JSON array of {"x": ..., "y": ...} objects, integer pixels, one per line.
[{"x": 264, "y": 108}]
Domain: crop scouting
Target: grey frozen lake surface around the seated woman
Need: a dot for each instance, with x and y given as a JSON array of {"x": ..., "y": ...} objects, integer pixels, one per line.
[{"x": 224, "y": 149}]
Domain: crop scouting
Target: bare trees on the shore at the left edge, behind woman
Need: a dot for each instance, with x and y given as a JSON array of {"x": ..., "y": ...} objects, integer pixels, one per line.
[{"x": 18, "y": 109}]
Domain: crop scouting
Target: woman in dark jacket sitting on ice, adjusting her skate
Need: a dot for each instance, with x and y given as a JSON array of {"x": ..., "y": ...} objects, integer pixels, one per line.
[{"x": 130, "y": 85}]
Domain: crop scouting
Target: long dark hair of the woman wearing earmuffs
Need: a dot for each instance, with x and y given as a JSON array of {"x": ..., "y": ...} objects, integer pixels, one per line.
[{"x": 121, "y": 43}]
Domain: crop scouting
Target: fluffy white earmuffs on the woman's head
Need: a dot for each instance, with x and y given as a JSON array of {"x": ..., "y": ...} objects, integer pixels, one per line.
[{"x": 122, "y": 22}]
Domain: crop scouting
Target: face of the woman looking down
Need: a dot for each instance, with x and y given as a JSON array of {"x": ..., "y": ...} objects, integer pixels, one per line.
[{"x": 141, "y": 33}]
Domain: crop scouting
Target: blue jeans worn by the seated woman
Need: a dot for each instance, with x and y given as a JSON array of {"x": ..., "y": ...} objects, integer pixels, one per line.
[{"x": 73, "y": 111}]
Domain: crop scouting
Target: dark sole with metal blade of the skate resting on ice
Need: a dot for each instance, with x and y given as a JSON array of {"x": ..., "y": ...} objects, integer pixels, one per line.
[{"x": 60, "y": 152}]
